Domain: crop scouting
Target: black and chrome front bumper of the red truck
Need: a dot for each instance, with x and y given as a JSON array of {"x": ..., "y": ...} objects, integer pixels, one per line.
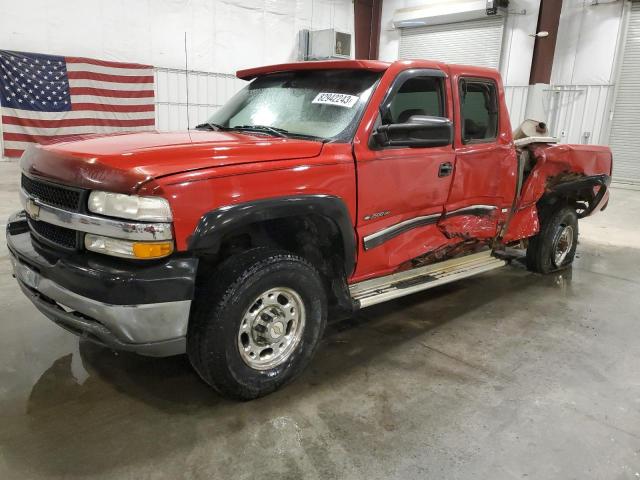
[{"x": 127, "y": 306}]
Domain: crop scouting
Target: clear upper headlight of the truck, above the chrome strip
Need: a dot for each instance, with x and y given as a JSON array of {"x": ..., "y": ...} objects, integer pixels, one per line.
[{"x": 148, "y": 209}]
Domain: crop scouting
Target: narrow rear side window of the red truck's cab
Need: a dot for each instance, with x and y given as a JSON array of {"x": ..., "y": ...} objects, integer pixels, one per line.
[{"x": 479, "y": 105}]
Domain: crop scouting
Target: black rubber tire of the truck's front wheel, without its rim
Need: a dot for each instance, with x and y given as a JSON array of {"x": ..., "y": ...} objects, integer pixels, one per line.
[{"x": 212, "y": 340}]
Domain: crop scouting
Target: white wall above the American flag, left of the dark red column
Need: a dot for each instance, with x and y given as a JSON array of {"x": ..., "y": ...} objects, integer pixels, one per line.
[{"x": 222, "y": 37}]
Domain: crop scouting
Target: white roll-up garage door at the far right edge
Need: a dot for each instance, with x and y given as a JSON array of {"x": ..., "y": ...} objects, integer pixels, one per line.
[{"x": 625, "y": 127}]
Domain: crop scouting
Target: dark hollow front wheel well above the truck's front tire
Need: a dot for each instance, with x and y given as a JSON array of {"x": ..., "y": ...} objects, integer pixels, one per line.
[{"x": 314, "y": 237}]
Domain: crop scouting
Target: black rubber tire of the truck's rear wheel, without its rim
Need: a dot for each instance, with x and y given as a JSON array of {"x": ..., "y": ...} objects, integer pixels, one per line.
[{"x": 542, "y": 248}]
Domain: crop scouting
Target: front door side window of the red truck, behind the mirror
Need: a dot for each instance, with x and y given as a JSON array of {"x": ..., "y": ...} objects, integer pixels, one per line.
[{"x": 417, "y": 96}]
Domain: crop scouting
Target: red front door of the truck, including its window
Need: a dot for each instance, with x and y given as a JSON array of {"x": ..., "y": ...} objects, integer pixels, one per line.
[{"x": 402, "y": 190}]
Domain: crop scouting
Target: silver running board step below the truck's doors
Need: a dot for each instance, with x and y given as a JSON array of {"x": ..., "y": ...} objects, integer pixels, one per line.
[{"x": 378, "y": 290}]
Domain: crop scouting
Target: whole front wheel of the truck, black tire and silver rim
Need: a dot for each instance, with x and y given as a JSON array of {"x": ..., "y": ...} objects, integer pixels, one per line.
[{"x": 257, "y": 323}]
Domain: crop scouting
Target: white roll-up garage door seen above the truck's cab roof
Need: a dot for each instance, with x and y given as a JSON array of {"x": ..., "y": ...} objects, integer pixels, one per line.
[{"x": 475, "y": 42}]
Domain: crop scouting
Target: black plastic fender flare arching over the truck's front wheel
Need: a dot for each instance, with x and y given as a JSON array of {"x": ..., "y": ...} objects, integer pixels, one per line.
[{"x": 216, "y": 224}]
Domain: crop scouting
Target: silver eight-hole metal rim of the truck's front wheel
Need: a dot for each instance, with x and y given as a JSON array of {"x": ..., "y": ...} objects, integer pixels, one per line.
[{"x": 271, "y": 328}]
